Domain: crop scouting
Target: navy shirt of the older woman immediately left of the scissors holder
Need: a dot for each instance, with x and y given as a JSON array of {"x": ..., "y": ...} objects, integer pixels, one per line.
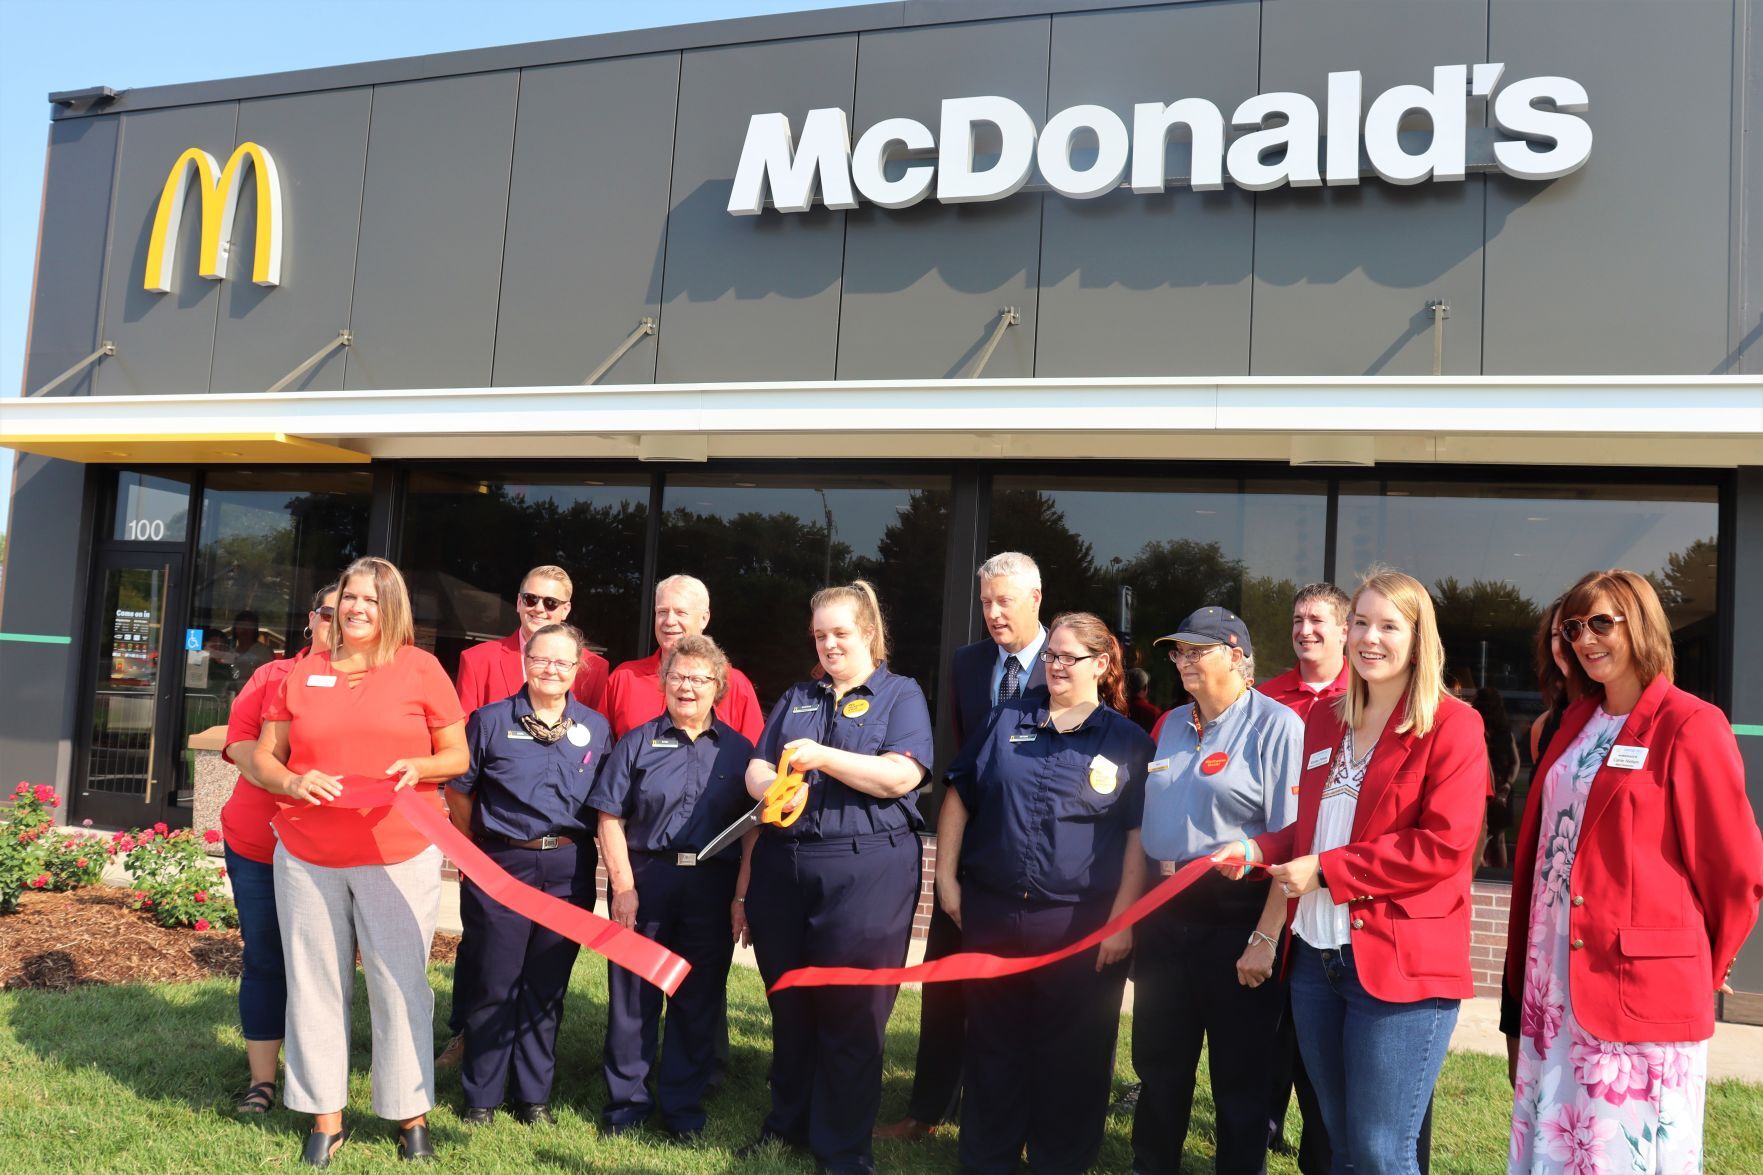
[{"x": 676, "y": 793}]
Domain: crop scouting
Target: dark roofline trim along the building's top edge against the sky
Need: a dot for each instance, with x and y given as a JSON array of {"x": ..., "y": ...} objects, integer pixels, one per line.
[{"x": 567, "y": 50}]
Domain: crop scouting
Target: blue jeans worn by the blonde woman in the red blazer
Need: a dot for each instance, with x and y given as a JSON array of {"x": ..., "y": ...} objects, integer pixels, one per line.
[{"x": 1372, "y": 1063}]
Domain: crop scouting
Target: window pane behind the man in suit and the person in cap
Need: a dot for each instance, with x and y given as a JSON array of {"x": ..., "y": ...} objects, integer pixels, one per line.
[{"x": 1145, "y": 553}]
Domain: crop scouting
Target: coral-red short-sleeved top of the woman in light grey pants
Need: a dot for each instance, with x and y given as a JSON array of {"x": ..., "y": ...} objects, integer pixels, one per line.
[{"x": 339, "y": 730}]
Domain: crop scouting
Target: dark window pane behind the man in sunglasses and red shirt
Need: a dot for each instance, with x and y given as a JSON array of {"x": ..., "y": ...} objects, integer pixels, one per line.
[{"x": 468, "y": 541}]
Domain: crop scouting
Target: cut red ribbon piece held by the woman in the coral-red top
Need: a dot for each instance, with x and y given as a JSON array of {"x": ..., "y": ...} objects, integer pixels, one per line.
[{"x": 627, "y": 948}]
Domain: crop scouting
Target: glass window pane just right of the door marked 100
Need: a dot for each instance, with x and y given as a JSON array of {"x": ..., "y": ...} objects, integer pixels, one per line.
[{"x": 269, "y": 541}]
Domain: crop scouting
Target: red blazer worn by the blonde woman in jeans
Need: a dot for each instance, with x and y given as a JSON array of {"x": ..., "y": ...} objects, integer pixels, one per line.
[{"x": 1406, "y": 872}]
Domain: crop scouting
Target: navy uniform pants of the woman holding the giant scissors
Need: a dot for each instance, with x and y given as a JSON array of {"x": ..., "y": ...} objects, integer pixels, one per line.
[{"x": 831, "y": 904}]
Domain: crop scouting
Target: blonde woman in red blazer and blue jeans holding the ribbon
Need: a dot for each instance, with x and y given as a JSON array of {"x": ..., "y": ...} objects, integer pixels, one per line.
[{"x": 1380, "y": 862}]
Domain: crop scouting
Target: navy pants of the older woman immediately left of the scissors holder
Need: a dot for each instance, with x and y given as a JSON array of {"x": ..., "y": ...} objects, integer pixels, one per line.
[{"x": 687, "y": 911}]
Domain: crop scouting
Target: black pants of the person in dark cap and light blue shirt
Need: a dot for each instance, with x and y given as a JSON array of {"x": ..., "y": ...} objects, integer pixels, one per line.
[{"x": 1186, "y": 994}]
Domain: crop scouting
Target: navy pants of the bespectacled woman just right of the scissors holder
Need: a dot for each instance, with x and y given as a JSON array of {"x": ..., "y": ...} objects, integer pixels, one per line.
[{"x": 1041, "y": 1045}]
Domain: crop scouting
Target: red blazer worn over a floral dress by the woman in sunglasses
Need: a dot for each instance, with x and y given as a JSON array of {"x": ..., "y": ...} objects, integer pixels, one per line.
[{"x": 1667, "y": 878}]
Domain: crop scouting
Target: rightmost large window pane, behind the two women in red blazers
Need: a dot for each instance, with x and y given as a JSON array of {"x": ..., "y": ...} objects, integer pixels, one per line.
[{"x": 1496, "y": 555}]
